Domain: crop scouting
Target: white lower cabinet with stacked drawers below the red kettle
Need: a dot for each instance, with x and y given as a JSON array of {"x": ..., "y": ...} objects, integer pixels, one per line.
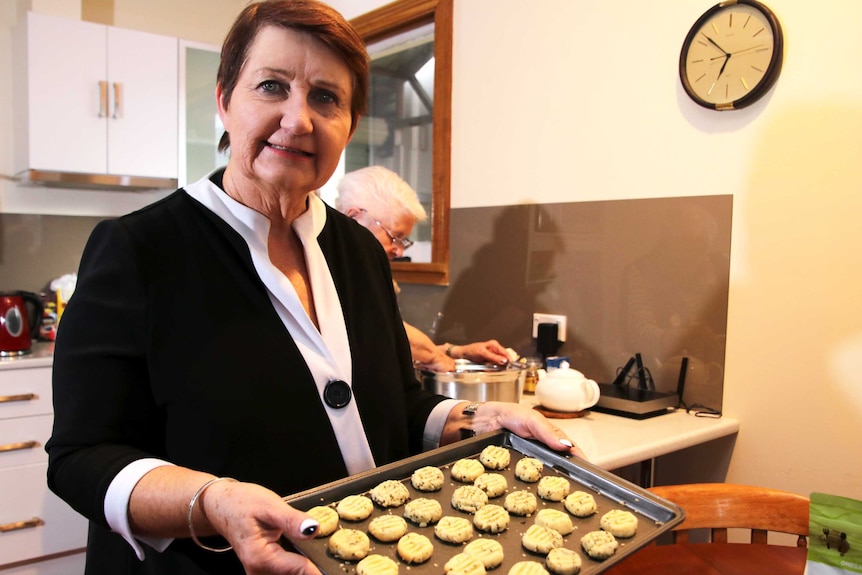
[{"x": 34, "y": 523}]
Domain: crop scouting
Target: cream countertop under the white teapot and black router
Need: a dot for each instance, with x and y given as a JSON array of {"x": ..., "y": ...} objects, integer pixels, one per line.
[{"x": 612, "y": 442}]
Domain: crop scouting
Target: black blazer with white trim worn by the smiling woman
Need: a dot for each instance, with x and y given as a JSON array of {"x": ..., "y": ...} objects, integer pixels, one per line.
[{"x": 170, "y": 348}]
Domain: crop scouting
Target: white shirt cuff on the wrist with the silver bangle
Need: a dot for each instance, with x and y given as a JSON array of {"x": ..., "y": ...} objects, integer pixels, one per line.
[{"x": 117, "y": 504}]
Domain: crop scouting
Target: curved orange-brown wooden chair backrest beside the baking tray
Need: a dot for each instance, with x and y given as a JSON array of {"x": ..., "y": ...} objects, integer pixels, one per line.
[{"x": 719, "y": 506}]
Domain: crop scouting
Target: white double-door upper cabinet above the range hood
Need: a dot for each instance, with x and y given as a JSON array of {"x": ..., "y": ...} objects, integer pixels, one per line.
[{"x": 95, "y": 99}]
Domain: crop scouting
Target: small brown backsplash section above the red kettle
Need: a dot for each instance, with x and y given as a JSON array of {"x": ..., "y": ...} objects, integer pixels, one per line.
[{"x": 35, "y": 249}]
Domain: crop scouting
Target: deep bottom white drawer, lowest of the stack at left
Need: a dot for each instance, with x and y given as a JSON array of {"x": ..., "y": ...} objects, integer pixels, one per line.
[{"x": 25, "y": 498}]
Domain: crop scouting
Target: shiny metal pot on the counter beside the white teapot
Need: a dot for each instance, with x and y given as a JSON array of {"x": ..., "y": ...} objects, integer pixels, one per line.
[{"x": 476, "y": 382}]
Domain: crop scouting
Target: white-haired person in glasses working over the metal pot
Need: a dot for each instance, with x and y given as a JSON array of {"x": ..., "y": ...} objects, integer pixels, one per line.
[{"x": 383, "y": 202}]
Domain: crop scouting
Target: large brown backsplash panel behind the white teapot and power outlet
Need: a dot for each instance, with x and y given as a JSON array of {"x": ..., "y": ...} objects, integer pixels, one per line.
[{"x": 646, "y": 276}]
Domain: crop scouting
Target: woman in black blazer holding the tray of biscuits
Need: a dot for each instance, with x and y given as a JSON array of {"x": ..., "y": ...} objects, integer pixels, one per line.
[{"x": 241, "y": 329}]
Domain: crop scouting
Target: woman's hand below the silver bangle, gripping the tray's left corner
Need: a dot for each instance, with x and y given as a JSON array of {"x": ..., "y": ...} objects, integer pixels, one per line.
[{"x": 253, "y": 519}]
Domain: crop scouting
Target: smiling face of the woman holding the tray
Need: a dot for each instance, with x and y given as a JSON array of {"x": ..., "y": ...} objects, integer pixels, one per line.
[{"x": 289, "y": 116}]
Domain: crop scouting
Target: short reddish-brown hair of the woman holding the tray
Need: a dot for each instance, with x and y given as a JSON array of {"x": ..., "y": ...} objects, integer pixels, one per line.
[{"x": 316, "y": 18}]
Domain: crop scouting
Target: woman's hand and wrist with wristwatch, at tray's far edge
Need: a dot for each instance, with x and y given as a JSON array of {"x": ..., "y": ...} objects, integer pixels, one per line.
[{"x": 519, "y": 419}]
